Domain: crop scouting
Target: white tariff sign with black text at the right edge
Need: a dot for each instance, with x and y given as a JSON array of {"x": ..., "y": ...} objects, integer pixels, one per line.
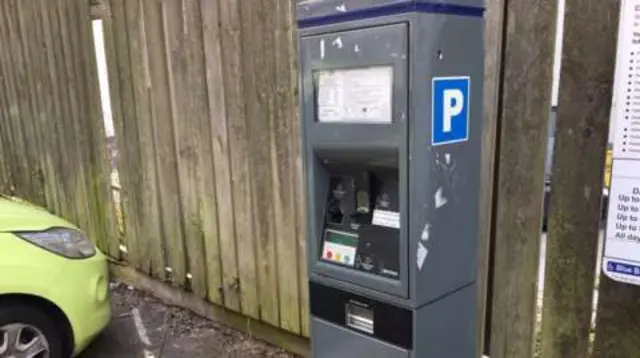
[{"x": 621, "y": 261}]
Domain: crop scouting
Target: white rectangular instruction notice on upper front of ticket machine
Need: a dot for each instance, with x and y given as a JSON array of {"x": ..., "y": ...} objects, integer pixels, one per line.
[{"x": 355, "y": 95}]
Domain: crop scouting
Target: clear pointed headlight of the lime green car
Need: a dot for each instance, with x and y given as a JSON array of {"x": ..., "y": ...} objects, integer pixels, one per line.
[{"x": 65, "y": 242}]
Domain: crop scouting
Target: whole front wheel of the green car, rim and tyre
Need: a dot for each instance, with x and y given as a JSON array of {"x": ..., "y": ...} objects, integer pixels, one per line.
[{"x": 27, "y": 332}]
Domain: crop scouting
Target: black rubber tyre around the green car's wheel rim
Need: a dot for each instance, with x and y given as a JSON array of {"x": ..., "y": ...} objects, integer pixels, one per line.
[{"x": 16, "y": 313}]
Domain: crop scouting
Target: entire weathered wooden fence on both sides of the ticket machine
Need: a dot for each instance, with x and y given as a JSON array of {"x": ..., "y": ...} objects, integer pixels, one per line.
[{"x": 204, "y": 99}]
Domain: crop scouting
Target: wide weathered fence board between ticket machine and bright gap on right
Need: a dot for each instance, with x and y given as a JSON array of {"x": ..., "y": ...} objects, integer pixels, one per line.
[{"x": 529, "y": 29}]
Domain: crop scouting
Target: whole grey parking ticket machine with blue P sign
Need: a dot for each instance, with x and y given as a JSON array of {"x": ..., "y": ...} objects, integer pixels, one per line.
[{"x": 391, "y": 103}]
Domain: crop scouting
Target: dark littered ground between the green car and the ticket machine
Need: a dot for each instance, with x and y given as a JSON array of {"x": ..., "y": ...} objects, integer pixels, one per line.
[{"x": 142, "y": 326}]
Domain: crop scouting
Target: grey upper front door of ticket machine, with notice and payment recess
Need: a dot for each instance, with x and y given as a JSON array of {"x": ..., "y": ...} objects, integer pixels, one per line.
[{"x": 355, "y": 121}]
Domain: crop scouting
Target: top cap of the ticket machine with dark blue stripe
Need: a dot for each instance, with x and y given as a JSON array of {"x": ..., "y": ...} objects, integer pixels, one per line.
[{"x": 324, "y": 12}]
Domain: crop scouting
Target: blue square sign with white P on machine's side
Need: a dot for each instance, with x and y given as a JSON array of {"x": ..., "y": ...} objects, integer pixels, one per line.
[{"x": 450, "y": 110}]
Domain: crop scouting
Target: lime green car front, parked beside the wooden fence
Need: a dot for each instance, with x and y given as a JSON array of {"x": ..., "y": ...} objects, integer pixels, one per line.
[{"x": 53, "y": 284}]
